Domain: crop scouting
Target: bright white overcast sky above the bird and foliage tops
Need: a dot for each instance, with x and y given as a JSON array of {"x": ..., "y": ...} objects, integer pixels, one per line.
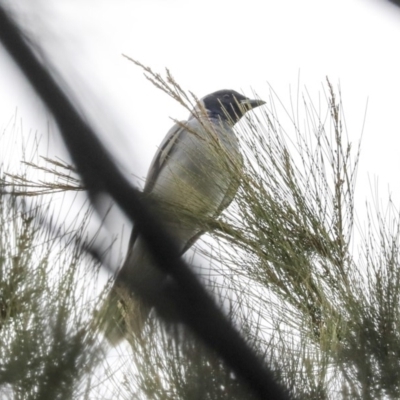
[{"x": 211, "y": 45}]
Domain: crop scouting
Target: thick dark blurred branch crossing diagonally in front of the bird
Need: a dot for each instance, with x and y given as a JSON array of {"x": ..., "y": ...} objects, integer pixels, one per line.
[{"x": 189, "y": 299}]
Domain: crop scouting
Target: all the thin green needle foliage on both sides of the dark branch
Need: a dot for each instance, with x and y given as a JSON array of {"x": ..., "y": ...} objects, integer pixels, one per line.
[{"x": 280, "y": 261}]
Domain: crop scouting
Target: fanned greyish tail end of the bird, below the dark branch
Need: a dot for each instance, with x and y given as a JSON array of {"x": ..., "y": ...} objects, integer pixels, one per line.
[{"x": 122, "y": 315}]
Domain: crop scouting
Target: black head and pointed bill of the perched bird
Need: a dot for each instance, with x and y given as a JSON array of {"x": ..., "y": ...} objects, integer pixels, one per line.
[{"x": 228, "y": 105}]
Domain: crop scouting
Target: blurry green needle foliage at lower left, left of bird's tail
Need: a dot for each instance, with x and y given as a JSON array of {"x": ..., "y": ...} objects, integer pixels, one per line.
[{"x": 46, "y": 347}]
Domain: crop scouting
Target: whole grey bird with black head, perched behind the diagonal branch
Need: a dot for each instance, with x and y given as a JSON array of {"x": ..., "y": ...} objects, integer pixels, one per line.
[{"x": 194, "y": 174}]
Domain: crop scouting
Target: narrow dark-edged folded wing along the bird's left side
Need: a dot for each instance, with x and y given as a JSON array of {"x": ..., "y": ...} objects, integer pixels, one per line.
[{"x": 166, "y": 149}]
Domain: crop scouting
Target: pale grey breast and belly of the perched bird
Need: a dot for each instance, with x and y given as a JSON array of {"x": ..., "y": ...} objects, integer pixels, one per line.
[{"x": 198, "y": 176}]
